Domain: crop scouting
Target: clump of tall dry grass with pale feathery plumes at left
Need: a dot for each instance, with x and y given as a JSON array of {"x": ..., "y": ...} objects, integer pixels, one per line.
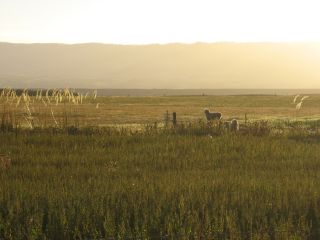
[{"x": 60, "y": 108}]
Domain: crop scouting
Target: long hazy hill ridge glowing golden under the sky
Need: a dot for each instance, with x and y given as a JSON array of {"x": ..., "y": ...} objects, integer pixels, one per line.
[{"x": 182, "y": 66}]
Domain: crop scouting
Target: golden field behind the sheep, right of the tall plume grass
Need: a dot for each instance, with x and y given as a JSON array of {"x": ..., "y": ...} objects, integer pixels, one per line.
[{"x": 124, "y": 110}]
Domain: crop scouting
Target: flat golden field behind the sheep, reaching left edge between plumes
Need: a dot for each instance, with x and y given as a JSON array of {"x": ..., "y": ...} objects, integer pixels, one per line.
[{"x": 146, "y": 110}]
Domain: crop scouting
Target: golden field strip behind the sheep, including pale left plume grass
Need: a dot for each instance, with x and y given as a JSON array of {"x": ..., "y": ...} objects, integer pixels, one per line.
[{"x": 64, "y": 107}]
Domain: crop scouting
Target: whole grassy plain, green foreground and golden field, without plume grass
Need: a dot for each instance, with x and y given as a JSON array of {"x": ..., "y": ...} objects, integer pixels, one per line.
[{"x": 190, "y": 182}]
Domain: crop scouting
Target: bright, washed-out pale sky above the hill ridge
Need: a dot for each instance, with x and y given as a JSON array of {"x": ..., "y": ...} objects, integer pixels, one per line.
[{"x": 159, "y": 21}]
